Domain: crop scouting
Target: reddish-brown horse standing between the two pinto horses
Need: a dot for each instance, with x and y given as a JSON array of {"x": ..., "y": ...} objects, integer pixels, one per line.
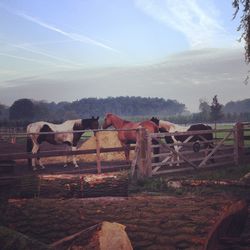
[{"x": 128, "y": 135}]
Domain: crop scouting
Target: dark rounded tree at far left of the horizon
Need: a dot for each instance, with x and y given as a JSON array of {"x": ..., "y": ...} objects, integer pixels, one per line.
[{"x": 22, "y": 109}]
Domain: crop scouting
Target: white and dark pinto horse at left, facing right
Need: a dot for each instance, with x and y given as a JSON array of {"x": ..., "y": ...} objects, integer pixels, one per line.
[{"x": 37, "y": 134}]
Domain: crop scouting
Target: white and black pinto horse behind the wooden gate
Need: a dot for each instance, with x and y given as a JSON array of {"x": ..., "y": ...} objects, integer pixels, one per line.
[{"x": 206, "y": 138}]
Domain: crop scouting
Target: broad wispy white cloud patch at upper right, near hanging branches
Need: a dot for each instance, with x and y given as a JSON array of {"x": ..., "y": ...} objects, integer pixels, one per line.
[{"x": 200, "y": 26}]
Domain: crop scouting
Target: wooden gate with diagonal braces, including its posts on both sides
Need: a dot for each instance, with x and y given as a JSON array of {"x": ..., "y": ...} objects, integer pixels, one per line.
[{"x": 230, "y": 147}]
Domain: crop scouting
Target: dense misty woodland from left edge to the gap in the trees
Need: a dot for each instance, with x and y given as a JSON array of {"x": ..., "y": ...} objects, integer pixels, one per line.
[{"x": 23, "y": 110}]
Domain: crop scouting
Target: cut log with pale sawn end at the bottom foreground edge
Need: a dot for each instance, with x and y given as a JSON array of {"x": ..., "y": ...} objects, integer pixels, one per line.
[{"x": 103, "y": 236}]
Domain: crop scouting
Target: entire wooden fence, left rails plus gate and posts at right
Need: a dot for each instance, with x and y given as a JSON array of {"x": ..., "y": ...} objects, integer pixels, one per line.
[{"x": 230, "y": 146}]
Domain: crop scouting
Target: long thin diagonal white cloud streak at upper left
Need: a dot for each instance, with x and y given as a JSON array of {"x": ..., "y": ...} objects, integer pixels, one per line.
[{"x": 73, "y": 36}]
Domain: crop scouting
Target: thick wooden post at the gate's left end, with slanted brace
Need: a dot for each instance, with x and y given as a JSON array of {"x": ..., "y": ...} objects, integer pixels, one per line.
[{"x": 143, "y": 167}]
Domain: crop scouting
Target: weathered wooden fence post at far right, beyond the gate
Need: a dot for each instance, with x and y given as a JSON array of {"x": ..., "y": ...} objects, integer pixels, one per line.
[{"x": 238, "y": 143}]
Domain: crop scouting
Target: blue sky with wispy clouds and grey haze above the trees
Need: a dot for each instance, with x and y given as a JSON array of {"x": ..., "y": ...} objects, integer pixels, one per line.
[{"x": 64, "y": 50}]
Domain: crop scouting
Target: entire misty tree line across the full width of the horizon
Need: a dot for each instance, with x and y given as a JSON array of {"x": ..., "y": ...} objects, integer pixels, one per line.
[{"x": 24, "y": 111}]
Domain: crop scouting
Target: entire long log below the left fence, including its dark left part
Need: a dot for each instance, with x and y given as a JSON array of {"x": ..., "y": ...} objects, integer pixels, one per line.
[{"x": 66, "y": 186}]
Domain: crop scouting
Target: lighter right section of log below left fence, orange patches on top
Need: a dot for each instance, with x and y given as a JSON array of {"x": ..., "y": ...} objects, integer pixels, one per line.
[{"x": 108, "y": 184}]
